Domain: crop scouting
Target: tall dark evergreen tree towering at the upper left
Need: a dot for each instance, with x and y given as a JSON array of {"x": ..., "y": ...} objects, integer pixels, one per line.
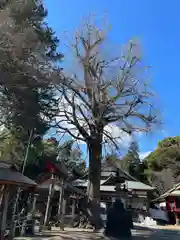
[{"x": 29, "y": 52}]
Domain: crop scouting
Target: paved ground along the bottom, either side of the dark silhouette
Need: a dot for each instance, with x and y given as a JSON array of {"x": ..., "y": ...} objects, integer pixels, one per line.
[{"x": 140, "y": 233}]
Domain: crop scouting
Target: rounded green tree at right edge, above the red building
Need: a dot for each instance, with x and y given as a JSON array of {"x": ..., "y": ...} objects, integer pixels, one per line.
[{"x": 162, "y": 166}]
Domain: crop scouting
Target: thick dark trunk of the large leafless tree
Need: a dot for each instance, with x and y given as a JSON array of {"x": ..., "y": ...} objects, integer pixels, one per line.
[{"x": 95, "y": 153}]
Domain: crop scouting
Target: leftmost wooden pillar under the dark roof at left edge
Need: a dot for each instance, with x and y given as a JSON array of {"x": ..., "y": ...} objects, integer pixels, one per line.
[{"x": 4, "y": 213}]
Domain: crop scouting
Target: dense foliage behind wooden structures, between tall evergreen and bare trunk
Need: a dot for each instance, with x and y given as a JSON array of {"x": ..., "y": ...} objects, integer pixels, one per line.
[{"x": 53, "y": 151}]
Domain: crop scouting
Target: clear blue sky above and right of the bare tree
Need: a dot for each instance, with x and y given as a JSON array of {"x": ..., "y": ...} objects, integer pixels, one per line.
[{"x": 157, "y": 25}]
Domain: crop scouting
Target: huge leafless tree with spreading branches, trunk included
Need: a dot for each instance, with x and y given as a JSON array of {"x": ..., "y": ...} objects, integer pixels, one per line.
[{"x": 109, "y": 92}]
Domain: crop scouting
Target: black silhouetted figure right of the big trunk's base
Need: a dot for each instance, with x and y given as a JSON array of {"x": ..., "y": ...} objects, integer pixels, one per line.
[{"x": 119, "y": 222}]
